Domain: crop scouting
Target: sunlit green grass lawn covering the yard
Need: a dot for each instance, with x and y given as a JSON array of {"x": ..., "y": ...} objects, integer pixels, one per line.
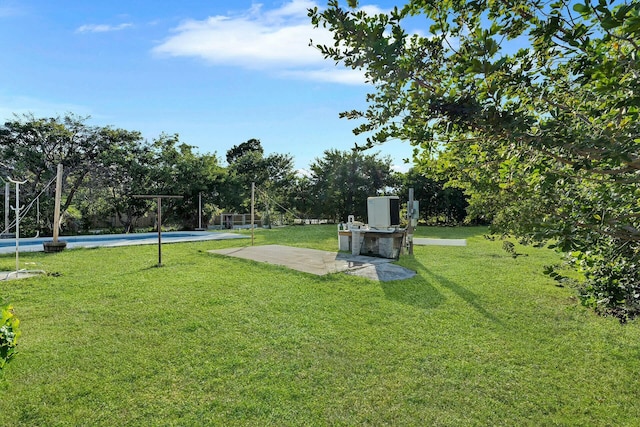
[{"x": 476, "y": 338}]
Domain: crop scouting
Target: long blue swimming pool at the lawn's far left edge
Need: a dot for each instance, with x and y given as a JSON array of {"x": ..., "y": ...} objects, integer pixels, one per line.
[{"x": 112, "y": 240}]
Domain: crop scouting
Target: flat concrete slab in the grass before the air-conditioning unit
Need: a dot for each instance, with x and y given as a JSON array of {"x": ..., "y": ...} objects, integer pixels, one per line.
[{"x": 321, "y": 262}]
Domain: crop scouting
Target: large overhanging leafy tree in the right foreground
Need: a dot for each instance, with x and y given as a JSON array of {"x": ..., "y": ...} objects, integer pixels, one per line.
[{"x": 531, "y": 105}]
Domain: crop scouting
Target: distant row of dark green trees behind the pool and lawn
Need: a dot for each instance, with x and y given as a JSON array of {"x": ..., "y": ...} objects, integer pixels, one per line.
[{"x": 104, "y": 168}]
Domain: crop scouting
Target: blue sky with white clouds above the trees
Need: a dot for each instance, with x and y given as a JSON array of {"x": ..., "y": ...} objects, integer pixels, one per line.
[{"x": 215, "y": 72}]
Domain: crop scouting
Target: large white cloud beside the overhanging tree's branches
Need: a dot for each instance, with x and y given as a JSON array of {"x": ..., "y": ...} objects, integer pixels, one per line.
[{"x": 276, "y": 40}]
